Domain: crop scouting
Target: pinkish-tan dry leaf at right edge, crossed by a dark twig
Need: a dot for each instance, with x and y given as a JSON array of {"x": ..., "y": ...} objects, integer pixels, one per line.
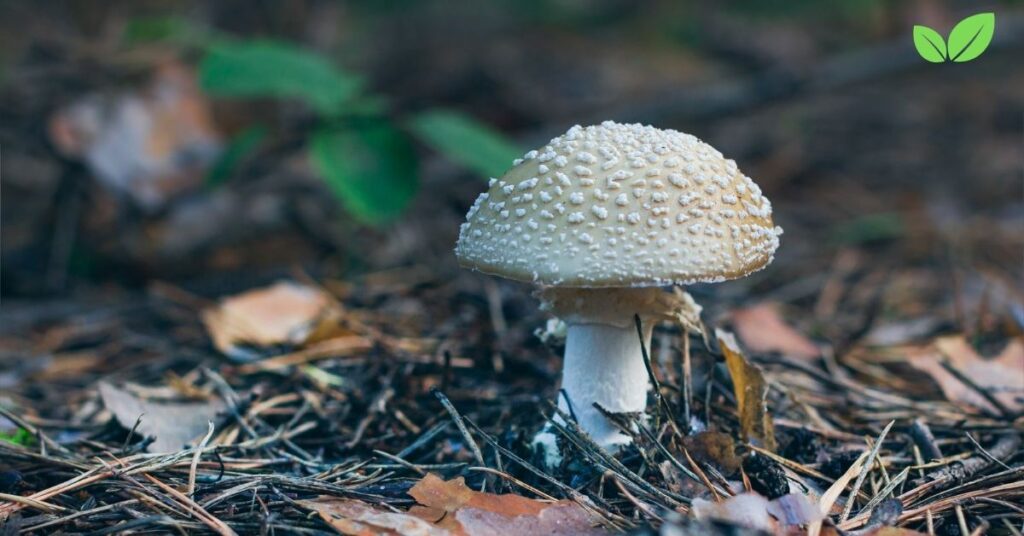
[{"x": 1003, "y": 376}]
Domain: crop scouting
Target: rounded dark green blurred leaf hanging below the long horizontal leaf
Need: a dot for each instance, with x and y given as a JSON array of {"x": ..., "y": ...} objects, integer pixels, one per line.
[{"x": 370, "y": 168}]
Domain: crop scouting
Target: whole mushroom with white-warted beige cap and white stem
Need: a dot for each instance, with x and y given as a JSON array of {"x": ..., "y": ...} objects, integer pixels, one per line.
[{"x": 604, "y": 218}]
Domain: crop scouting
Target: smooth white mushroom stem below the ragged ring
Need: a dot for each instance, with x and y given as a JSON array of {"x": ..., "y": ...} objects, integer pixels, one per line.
[{"x": 605, "y": 365}]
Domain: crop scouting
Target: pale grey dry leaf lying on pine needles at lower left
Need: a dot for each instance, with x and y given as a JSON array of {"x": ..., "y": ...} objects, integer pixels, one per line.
[{"x": 174, "y": 425}]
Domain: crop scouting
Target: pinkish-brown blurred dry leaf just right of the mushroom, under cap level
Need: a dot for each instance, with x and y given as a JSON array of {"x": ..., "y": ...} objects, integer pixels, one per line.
[{"x": 762, "y": 329}]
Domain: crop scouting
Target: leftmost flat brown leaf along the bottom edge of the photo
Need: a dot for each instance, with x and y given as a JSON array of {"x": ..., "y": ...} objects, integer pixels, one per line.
[{"x": 356, "y": 518}]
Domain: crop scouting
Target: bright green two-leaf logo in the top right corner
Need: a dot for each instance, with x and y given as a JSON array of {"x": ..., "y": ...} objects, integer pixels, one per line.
[{"x": 967, "y": 42}]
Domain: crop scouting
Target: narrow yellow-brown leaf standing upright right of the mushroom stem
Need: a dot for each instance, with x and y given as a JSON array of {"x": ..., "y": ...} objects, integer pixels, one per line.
[{"x": 752, "y": 394}]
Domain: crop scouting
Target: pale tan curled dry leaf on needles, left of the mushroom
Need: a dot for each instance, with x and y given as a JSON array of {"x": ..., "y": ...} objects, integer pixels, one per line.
[{"x": 285, "y": 313}]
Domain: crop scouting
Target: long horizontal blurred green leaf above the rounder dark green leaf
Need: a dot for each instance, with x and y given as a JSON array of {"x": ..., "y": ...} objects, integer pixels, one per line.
[{"x": 272, "y": 69}]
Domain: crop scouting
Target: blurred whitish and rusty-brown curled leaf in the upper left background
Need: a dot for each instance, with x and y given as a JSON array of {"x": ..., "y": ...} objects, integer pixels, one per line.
[{"x": 150, "y": 144}]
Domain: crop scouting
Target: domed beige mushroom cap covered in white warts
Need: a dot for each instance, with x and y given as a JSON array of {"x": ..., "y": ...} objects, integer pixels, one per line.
[{"x": 620, "y": 205}]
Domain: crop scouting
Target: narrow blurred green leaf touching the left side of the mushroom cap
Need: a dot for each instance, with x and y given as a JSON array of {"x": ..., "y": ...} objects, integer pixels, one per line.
[{"x": 465, "y": 141}]
